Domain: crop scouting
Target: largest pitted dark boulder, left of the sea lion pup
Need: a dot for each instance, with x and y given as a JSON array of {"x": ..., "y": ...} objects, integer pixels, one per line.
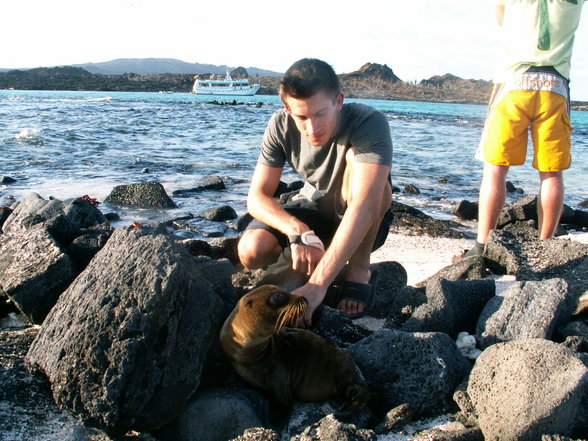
[{"x": 124, "y": 346}]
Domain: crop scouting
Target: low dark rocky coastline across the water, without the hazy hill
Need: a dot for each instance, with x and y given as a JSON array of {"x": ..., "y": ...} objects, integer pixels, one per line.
[{"x": 371, "y": 81}]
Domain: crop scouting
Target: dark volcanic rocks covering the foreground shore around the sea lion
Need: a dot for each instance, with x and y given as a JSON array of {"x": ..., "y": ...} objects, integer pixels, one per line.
[{"x": 111, "y": 334}]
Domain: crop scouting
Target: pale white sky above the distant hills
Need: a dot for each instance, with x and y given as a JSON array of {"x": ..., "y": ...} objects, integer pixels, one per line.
[{"x": 417, "y": 39}]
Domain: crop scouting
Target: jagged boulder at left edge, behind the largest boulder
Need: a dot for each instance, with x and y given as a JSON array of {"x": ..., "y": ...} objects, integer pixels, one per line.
[{"x": 35, "y": 263}]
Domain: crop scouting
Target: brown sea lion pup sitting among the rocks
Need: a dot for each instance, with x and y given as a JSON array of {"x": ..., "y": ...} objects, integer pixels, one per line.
[{"x": 291, "y": 364}]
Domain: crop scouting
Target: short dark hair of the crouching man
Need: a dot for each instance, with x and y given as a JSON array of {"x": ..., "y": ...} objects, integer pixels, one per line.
[{"x": 307, "y": 77}]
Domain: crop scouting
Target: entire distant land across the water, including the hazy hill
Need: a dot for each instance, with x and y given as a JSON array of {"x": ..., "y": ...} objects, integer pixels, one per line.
[{"x": 371, "y": 81}]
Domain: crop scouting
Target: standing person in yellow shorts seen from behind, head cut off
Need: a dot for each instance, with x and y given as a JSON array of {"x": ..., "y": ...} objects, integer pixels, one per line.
[{"x": 531, "y": 91}]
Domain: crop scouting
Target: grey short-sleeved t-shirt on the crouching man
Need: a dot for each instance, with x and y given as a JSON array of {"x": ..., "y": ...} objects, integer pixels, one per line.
[{"x": 322, "y": 168}]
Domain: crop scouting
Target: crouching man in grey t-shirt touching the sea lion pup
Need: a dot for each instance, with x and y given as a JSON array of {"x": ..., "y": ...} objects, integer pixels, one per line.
[{"x": 344, "y": 154}]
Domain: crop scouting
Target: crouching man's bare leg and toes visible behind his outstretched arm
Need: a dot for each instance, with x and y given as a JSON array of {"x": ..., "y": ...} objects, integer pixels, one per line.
[{"x": 358, "y": 267}]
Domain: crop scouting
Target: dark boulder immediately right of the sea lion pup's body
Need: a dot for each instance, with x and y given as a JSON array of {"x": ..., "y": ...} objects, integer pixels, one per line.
[{"x": 422, "y": 369}]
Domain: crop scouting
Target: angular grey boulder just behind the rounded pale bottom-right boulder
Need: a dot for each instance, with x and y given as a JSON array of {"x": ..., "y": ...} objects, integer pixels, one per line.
[{"x": 525, "y": 310}]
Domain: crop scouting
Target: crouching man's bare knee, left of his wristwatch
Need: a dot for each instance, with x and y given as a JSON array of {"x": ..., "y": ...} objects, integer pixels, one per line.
[{"x": 258, "y": 248}]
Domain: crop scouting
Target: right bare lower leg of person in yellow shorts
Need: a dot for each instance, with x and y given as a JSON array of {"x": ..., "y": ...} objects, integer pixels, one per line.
[{"x": 550, "y": 203}]
